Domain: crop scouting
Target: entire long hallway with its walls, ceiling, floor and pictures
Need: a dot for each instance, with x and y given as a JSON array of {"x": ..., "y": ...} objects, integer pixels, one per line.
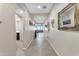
[{"x": 56, "y": 25}]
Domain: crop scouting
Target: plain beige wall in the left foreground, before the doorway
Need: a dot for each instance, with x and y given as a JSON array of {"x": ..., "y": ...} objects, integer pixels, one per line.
[{"x": 7, "y": 29}]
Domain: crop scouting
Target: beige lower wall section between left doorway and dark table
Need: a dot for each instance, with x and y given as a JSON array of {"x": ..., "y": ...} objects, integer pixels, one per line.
[{"x": 28, "y": 37}]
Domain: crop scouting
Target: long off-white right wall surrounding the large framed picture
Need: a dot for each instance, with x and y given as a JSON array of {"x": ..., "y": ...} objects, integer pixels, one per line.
[{"x": 64, "y": 42}]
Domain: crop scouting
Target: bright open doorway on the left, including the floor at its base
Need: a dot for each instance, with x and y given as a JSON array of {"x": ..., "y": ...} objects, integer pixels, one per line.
[{"x": 19, "y": 31}]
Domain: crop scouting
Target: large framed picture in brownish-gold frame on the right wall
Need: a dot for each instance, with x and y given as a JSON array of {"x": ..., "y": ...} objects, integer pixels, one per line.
[{"x": 67, "y": 18}]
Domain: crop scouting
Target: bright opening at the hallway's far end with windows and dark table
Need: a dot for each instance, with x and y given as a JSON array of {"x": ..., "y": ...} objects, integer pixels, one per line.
[{"x": 40, "y": 29}]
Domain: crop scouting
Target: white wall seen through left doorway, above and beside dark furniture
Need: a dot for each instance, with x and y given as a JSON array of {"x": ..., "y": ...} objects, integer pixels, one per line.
[{"x": 19, "y": 26}]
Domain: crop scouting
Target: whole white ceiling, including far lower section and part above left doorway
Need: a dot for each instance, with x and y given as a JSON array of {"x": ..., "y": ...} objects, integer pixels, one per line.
[{"x": 42, "y": 13}]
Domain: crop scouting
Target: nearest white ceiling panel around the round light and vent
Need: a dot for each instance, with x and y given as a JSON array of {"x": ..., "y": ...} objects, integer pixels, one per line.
[{"x": 33, "y": 7}]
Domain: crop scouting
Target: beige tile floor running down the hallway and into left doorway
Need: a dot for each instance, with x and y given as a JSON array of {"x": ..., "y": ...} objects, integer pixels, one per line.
[{"x": 39, "y": 47}]
